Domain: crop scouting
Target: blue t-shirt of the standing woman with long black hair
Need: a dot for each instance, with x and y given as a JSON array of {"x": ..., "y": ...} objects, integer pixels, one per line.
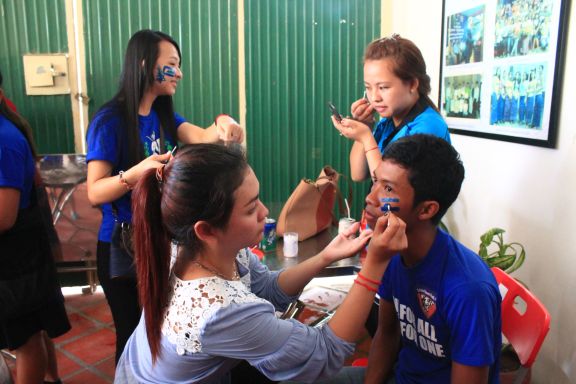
[{"x": 103, "y": 144}]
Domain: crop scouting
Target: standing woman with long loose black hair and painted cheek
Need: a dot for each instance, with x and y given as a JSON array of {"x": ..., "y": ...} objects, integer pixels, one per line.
[{"x": 131, "y": 133}]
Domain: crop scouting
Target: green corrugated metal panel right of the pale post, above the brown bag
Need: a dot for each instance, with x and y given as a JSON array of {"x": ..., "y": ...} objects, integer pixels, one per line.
[{"x": 300, "y": 54}]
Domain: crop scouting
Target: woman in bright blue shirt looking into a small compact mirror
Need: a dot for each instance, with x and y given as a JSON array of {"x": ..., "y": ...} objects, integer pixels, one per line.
[{"x": 397, "y": 88}]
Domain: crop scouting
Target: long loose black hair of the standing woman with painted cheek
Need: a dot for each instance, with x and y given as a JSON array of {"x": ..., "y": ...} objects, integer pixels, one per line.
[{"x": 137, "y": 76}]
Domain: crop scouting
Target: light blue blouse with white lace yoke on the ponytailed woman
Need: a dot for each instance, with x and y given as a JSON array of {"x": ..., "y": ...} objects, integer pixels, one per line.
[{"x": 211, "y": 323}]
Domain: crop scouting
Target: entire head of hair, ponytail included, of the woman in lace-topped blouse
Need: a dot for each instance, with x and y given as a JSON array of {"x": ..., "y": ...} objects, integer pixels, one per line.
[{"x": 198, "y": 184}]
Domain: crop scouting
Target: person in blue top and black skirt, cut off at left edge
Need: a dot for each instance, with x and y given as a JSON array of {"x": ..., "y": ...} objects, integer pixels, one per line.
[{"x": 31, "y": 302}]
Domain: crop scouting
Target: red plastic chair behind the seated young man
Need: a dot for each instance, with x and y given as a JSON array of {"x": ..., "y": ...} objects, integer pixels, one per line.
[{"x": 525, "y": 328}]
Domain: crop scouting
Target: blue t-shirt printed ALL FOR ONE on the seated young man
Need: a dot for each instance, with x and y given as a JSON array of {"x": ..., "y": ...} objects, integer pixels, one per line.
[{"x": 448, "y": 307}]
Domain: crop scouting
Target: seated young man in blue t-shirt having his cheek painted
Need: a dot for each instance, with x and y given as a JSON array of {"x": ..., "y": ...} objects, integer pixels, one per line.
[{"x": 440, "y": 318}]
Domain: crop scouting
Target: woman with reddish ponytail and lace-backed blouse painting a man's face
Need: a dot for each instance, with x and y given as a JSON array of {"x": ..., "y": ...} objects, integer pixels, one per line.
[{"x": 217, "y": 304}]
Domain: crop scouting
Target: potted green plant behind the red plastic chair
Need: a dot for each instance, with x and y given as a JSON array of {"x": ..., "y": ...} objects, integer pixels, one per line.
[{"x": 508, "y": 257}]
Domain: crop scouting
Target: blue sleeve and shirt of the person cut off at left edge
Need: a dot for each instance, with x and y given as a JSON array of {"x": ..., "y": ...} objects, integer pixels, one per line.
[{"x": 17, "y": 165}]
